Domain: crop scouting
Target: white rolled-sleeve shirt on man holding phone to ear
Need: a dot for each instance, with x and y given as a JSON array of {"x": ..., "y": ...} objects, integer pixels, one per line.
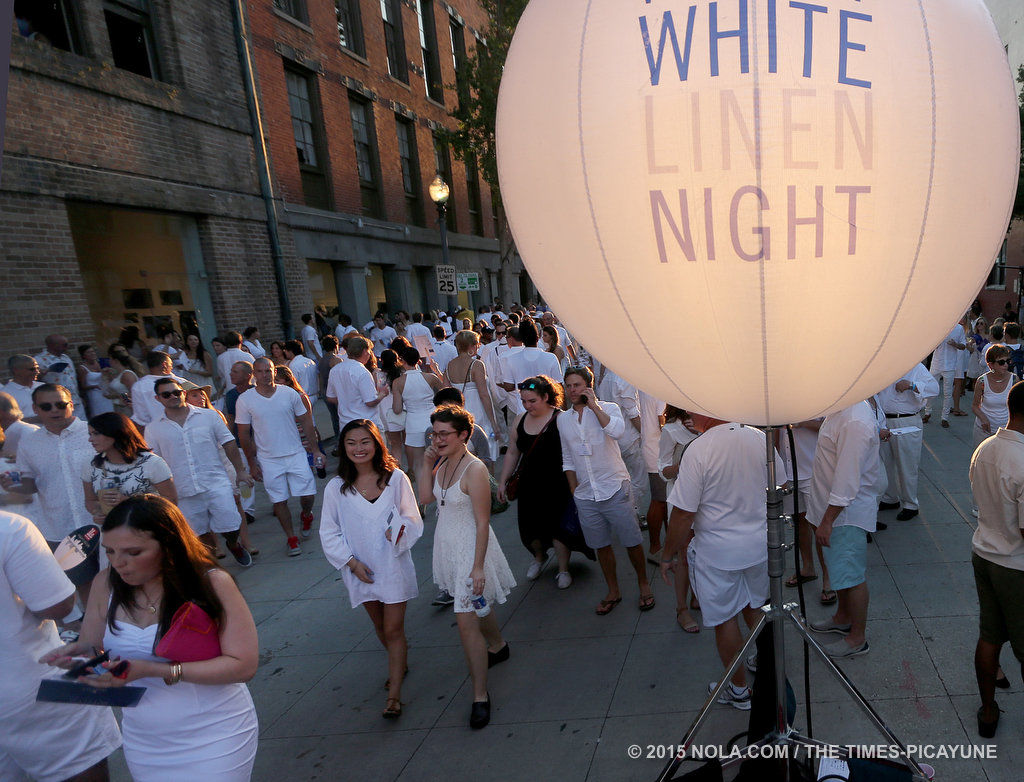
[{"x": 592, "y": 452}]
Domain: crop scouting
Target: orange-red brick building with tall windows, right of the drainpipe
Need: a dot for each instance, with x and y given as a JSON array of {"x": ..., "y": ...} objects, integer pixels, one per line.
[{"x": 353, "y": 94}]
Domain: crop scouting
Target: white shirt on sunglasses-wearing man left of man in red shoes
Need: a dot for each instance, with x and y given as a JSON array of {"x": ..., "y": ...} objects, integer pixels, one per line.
[{"x": 192, "y": 450}]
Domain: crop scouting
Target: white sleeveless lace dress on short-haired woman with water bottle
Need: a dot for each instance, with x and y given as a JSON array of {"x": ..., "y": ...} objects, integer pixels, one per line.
[{"x": 455, "y": 549}]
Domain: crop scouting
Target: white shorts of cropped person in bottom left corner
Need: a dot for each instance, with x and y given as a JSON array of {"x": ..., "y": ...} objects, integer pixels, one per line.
[{"x": 51, "y": 743}]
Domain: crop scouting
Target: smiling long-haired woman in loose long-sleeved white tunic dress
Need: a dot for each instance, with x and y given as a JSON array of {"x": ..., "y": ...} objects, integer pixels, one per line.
[{"x": 369, "y": 523}]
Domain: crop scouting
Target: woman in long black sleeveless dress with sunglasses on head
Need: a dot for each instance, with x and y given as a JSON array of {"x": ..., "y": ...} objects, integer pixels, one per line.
[{"x": 546, "y": 510}]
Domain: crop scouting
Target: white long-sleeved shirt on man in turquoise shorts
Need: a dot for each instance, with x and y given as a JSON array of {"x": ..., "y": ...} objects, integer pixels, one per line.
[{"x": 847, "y": 469}]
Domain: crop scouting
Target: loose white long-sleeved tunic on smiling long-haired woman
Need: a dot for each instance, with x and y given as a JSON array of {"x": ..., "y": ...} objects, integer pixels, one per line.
[{"x": 353, "y": 527}]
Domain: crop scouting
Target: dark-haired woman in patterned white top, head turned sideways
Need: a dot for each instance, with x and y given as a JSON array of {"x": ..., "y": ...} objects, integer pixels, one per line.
[{"x": 123, "y": 466}]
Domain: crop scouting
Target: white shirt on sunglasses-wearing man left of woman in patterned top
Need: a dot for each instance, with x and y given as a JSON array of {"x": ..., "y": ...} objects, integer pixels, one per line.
[{"x": 56, "y": 463}]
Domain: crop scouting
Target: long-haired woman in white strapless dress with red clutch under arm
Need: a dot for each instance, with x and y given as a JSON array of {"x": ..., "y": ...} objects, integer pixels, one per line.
[{"x": 196, "y": 720}]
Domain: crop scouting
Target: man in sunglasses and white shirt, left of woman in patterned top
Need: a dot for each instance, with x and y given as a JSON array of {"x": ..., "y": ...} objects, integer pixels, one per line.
[{"x": 51, "y": 461}]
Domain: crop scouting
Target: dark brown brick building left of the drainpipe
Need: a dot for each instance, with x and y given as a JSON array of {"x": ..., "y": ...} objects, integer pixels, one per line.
[{"x": 130, "y": 192}]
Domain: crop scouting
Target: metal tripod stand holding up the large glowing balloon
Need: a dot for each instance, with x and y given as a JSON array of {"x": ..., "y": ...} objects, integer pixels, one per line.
[{"x": 778, "y": 615}]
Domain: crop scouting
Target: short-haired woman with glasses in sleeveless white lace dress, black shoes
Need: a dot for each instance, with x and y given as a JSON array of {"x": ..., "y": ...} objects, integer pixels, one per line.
[{"x": 467, "y": 559}]
